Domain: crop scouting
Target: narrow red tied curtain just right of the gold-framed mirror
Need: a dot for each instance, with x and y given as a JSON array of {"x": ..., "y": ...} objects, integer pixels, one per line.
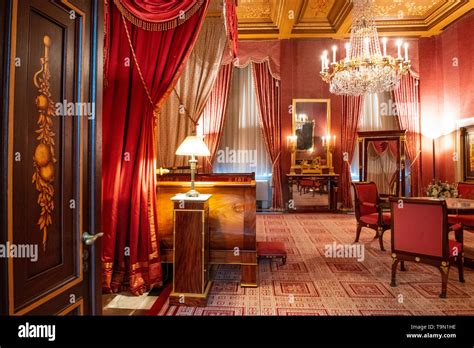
[{"x": 351, "y": 108}]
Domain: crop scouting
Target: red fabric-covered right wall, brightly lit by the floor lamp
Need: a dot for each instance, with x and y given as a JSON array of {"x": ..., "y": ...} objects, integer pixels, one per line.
[{"x": 446, "y": 93}]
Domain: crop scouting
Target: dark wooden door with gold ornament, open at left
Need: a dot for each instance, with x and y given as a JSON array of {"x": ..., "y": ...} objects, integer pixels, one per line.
[{"x": 52, "y": 172}]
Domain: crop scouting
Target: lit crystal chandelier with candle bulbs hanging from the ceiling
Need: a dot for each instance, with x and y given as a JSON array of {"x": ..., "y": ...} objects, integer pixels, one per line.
[{"x": 365, "y": 68}]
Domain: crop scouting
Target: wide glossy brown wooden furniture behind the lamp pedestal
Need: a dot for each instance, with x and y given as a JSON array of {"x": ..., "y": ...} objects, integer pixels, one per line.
[{"x": 232, "y": 218}]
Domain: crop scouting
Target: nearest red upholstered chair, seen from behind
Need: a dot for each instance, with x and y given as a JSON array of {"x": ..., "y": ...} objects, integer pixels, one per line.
[{"x": 420, "y": 233}]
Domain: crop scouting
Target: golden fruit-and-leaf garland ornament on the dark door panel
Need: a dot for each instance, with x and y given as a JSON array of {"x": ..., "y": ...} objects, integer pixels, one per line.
[{"x": 44, "y": 157}]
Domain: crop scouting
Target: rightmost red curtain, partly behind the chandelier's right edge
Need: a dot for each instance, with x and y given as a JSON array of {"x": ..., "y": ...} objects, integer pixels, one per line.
[{"x": 407, "y": 99}]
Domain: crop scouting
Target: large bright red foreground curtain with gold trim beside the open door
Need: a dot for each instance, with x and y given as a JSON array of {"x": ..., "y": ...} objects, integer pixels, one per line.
[{"x": 130, "y": 252}]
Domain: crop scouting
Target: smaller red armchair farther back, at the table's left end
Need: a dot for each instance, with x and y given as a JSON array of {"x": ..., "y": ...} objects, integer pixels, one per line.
[{"x": 368, "y": 210}]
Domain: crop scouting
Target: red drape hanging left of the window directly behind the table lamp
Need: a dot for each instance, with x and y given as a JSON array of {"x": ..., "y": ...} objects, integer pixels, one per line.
[{"x": 213, "y": 116}]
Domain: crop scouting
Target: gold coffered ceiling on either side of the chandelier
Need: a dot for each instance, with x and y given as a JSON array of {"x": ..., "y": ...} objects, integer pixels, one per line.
[{"x": 259, "y": 19}]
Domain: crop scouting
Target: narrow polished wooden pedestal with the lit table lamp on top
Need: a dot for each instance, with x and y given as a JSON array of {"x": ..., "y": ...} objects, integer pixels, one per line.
[{"x": 191, "y": 250}]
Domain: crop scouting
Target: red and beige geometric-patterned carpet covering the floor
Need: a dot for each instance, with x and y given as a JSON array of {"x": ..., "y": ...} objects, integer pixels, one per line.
[{"x": 313, "y": 284}]
